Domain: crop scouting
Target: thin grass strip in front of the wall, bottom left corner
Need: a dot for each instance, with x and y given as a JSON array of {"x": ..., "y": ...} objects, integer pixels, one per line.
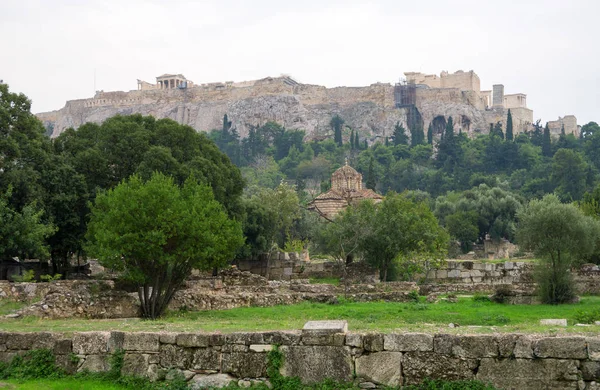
[{"x": 59, "y": 384}]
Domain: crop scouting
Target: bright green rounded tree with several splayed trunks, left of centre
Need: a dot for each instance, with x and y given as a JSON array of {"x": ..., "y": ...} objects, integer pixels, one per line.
[{"x": 156, "y": 233}]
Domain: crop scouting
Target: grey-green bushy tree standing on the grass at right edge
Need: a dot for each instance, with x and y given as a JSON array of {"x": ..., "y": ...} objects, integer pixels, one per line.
[{"x": 560, "y": 235}]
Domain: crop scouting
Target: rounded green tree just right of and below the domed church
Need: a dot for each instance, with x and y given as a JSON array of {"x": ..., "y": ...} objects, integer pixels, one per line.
[{"x": 401, "y": 228}]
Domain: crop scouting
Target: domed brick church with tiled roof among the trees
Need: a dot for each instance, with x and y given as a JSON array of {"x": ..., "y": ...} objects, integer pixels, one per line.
[{"x": 346, "y": 189}]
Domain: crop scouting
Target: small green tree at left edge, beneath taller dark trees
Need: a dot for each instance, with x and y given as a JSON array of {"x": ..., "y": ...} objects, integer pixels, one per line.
[{"x": 22, "y": 233}]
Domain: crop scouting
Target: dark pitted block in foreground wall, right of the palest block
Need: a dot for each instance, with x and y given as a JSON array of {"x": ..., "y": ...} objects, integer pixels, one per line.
[{"x": 416, "y": 366}]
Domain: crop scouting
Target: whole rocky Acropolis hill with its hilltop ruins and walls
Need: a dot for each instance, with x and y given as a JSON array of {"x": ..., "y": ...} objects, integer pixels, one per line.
[{"x": 372, "y": 110}]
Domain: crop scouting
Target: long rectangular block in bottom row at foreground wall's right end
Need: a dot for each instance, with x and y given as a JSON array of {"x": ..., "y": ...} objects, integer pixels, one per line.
[{"x": 529, "y": 373}]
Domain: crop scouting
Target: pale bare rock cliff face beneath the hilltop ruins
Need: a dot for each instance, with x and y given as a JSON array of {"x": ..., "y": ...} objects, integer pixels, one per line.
[{"x": 369, "y": 110}]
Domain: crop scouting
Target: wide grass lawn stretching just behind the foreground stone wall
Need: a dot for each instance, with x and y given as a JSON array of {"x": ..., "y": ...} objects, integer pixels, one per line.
[{"x": 471, "y": 316}]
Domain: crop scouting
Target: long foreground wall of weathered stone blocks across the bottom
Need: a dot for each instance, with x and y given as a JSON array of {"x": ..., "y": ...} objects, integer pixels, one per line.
[{"x": 508, "y": 361}]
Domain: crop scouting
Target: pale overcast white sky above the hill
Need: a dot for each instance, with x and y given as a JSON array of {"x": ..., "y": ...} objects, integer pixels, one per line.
[{"x": 59, "y": 50}]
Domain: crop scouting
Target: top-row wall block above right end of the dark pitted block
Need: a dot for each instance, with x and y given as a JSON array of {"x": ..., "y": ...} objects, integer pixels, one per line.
[{"x": 466, "y": 346}]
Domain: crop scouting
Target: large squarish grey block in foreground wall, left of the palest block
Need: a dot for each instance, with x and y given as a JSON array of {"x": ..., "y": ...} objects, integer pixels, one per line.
[{"x": 315, "y": 364}]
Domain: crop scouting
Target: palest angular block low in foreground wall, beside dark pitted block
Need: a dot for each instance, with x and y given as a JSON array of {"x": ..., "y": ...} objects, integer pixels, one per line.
[{"x": 381, "y": 367}]
